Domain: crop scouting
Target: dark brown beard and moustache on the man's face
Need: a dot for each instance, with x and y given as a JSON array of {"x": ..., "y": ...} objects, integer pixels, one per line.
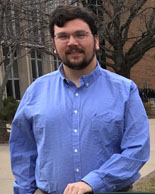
[{"x": 75, "y": 63}]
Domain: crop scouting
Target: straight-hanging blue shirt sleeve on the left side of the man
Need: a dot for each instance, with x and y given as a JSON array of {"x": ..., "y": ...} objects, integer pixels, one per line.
[{"x": 23, "y": 151}]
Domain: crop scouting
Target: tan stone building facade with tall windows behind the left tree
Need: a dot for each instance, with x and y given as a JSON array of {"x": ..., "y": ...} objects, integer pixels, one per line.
[{"x": 30, "y": 39}]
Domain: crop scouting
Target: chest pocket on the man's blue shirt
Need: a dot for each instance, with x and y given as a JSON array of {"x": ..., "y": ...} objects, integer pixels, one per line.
[{"x": 107, "y": 129}]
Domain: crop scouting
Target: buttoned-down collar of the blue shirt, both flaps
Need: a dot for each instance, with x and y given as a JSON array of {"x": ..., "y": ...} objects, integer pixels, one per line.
[{"x": 86, "y": 79}]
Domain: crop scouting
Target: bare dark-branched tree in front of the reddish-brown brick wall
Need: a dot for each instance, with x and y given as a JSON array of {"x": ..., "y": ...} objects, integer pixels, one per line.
[{"x": 127, "y": 28}]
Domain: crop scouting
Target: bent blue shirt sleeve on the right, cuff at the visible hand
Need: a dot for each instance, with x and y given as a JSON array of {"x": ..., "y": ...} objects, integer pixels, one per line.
[{"x": 121, "y": 170}]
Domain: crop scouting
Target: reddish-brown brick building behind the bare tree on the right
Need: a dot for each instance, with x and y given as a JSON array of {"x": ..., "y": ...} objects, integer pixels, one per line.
[{"x": 142, "y": 73}]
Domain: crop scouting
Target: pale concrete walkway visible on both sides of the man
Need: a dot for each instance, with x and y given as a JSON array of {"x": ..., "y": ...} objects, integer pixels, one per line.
[{"x": 6, "y": 178}]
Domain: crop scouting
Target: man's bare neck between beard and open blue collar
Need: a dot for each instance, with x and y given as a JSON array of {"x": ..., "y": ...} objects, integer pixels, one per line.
[{"x": 74, "y": 75}]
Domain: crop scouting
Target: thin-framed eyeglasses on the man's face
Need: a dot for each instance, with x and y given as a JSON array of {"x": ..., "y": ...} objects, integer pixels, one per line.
[{"x": 78, "y": 36}]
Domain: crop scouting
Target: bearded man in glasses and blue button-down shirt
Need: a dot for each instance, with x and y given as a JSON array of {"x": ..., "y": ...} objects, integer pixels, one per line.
[{"x": 80, "y": 129}]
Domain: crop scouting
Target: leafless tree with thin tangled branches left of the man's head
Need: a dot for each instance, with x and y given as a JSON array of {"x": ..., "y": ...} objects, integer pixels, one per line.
[{"x": 23, "y": 25}]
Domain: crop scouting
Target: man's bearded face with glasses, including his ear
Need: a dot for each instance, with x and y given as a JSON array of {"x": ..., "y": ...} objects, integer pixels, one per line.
[{"x": 75, "y": 44}]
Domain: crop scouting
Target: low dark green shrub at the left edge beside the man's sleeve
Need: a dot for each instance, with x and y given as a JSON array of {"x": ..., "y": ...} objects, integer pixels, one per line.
[{"x": 9, "y": 108}]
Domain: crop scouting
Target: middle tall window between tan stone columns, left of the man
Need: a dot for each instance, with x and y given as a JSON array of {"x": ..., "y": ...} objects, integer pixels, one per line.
[{"x": 36, "y": 61}]
